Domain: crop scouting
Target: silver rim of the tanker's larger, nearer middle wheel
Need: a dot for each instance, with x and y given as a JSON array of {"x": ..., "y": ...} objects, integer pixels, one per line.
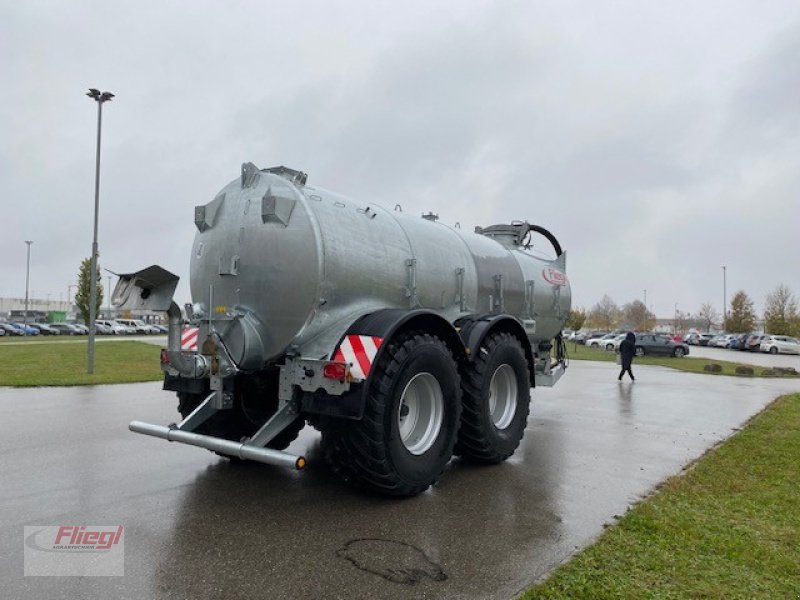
[{"x": 420, "y": 413}]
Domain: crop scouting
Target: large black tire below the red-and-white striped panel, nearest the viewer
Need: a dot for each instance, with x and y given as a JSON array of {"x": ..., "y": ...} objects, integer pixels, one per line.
[{"x": 371, "y": 452}]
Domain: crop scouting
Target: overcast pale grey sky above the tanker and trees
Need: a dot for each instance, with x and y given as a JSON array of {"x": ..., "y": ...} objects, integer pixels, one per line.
[{"x": 657, "y": 140}]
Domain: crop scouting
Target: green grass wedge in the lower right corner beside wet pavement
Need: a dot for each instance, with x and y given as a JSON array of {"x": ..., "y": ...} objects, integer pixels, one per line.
[{"x": 729, "y": 527}]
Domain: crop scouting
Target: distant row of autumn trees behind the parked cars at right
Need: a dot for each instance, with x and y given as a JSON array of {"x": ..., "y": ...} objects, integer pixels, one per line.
[{"x": 781, "y": 315}]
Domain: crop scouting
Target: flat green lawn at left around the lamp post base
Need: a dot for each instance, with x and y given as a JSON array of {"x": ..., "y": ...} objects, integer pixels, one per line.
[{"x": 57, "y": 363}]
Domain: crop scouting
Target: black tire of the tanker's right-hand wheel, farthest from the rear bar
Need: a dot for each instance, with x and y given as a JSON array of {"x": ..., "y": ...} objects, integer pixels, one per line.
[{"x": 480, "y": 438}]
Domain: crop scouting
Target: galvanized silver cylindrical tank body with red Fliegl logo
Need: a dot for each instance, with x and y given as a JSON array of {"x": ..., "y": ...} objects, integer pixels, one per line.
[{"x": 281, "y": 265}]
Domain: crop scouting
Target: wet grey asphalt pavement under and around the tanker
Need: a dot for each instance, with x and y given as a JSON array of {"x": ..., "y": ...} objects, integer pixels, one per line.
[{"x": 197, "y": 526}]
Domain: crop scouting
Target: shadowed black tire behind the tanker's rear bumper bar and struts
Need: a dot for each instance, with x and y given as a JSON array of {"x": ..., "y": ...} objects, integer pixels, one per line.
[{"x": 254, "y": 402}]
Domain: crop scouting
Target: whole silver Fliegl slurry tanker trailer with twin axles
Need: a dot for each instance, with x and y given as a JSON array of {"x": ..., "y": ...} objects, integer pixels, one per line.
[{"x": 403, "y": 340}]
